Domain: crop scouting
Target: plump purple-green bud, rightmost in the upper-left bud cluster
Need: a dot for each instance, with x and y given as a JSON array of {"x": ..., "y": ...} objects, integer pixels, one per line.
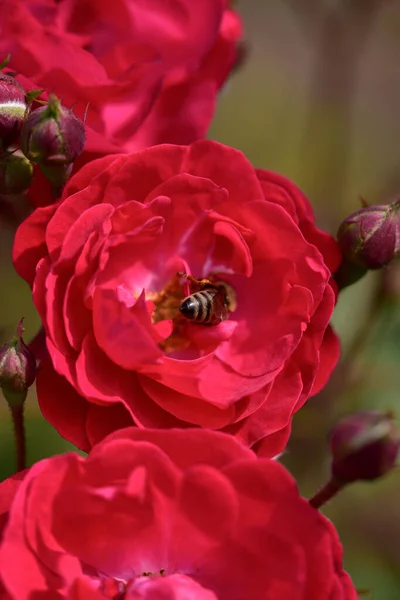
[{"x": 52, "y": 135}]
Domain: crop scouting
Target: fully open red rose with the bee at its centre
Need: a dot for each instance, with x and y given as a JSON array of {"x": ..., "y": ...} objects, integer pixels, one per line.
[{"x": 103, "y": 264}]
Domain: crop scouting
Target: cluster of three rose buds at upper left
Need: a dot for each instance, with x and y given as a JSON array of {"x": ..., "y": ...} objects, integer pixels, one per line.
[{"x": 50, "y": 136}]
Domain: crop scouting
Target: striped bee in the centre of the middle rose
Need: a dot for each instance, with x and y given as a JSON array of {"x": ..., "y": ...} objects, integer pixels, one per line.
[{"x": 210, "y": 303}]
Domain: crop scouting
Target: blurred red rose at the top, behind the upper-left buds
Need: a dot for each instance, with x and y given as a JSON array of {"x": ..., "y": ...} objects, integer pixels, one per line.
[{"x": 149, "y": 70}]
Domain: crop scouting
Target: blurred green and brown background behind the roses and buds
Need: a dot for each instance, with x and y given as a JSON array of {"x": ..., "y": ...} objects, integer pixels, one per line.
[{"x": 317, "y": 98}]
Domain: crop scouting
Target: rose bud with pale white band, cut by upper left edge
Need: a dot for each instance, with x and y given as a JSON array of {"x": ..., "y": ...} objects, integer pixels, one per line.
[{"x": 12, "y": 110}]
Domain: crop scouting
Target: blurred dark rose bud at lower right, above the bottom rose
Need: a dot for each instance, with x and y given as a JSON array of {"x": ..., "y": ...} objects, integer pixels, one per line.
[{"x": 364, "y": 446}]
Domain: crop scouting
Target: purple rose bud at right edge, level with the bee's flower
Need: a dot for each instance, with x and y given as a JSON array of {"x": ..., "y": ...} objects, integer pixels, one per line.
[{"x": 369, "y": 237}]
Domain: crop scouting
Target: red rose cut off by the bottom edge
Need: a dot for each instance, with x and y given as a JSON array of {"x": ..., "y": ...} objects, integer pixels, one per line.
[{"x": 168, "y": 514}]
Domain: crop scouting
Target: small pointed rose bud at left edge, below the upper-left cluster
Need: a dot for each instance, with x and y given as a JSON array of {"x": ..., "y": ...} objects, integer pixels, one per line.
[{"x": 17, "y": 368}]
